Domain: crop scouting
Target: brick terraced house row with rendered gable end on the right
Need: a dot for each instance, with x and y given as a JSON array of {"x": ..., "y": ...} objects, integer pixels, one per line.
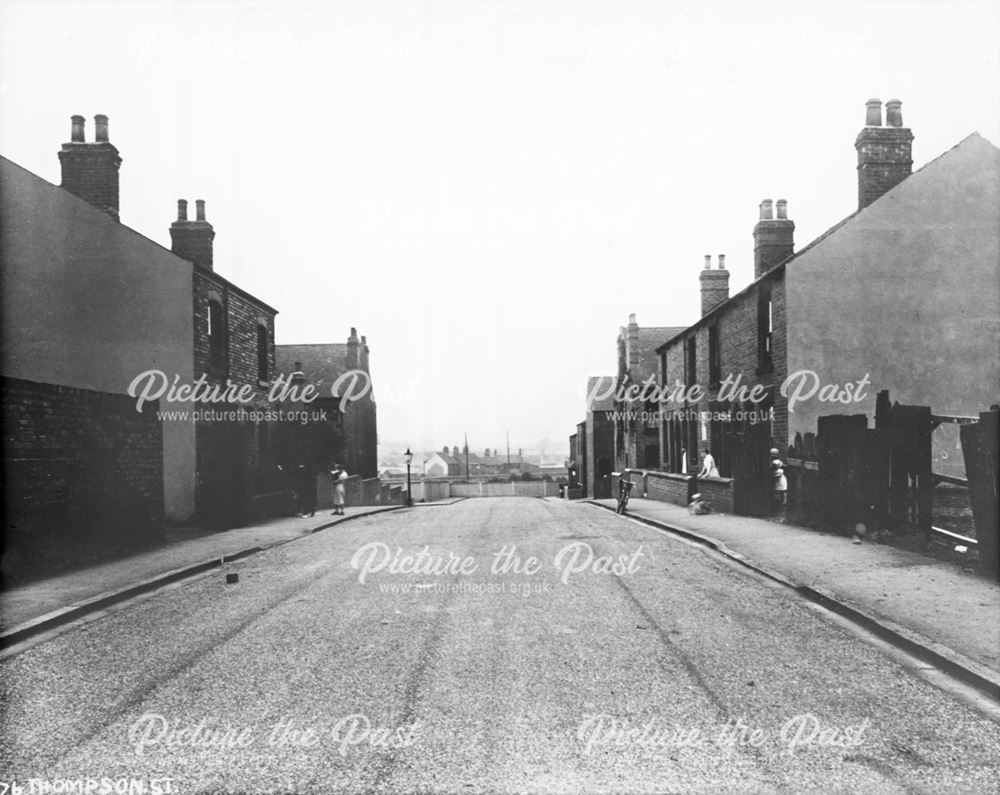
[{"x": 901, "y": 295}]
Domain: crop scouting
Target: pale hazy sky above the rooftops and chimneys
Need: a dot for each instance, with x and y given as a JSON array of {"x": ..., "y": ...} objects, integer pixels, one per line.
[{"x": 487, "y": 189}]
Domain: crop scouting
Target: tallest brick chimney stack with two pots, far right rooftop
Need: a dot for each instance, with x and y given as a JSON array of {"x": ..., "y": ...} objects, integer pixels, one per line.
[{"x": 885, "y": 154}]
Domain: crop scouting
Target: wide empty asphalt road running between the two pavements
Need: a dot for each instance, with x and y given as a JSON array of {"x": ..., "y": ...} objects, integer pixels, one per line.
[{"x": 333, "y": 667}]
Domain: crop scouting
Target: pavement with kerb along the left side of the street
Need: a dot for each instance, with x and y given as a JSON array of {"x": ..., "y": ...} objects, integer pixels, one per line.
[{"x": 34, "y": 607}]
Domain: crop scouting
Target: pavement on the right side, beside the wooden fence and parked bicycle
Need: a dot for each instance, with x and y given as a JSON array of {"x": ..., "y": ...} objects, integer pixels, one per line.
[{"x": 936, "y": 605}]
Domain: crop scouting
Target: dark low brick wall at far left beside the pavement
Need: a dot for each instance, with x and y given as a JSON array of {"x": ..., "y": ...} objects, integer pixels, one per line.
[{"x": 80, "y": 463}]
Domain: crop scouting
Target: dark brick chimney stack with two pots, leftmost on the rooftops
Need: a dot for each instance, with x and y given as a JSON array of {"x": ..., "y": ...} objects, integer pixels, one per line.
[{"x": 90, "y": 171}]
